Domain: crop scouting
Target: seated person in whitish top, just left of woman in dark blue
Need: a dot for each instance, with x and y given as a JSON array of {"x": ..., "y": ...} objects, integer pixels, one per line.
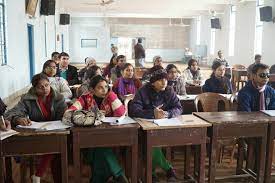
[{"x": 192, "y": 74}]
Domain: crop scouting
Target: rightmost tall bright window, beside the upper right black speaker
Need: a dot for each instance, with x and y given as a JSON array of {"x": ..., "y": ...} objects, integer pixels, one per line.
[{"x": 258, "y": 29}]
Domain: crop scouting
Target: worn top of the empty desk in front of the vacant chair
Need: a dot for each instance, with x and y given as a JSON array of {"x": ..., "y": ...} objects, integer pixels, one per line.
[{"x": 233, "y": 117}]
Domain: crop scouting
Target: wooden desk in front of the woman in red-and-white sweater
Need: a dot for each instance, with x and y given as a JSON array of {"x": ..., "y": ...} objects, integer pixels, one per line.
[{"x": 105, "y": 135}]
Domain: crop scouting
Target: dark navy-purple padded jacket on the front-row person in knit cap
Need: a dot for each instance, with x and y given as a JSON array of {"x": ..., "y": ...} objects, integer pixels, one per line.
[{"x": 147, "y": 98}]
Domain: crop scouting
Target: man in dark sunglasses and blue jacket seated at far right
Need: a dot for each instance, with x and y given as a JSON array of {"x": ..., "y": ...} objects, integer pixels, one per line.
[{"x": 257, "y": 95}]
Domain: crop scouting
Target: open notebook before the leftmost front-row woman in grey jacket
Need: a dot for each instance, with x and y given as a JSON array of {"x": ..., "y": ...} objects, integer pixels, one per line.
[{"x": 46, "y": 126}]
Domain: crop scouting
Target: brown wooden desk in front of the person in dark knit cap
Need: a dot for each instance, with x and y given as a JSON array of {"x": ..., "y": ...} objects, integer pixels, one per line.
[{"x": 192, "y": 132}]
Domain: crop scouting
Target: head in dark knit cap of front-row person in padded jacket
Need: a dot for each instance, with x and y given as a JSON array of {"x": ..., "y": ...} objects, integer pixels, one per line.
[{"x": 158, "y": 78}]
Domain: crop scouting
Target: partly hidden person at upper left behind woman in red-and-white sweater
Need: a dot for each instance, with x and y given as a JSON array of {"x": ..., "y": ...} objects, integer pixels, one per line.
[{"x": 89, "y": 74}]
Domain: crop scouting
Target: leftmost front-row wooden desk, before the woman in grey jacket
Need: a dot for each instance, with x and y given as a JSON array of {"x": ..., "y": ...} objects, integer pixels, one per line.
[{"x": 35, "y": 143}]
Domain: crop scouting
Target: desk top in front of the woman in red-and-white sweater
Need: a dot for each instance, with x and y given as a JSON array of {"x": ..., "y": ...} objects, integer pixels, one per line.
[{"x": 104, "y": 126}]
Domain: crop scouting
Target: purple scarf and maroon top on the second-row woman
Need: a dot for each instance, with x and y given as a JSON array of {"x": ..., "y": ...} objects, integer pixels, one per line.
[{"x": 126, "y": 86}]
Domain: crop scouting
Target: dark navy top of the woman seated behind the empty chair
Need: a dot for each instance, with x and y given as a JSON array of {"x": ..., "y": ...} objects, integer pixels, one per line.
[{"x": 215, "y": 85}]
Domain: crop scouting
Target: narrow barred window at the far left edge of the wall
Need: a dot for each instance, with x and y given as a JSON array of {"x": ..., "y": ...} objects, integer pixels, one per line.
[{"x": 3, "y": 51}]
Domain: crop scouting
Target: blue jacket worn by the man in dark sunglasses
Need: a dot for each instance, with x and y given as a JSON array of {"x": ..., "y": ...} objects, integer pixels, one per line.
[{"x": 249, "y": 98}]
